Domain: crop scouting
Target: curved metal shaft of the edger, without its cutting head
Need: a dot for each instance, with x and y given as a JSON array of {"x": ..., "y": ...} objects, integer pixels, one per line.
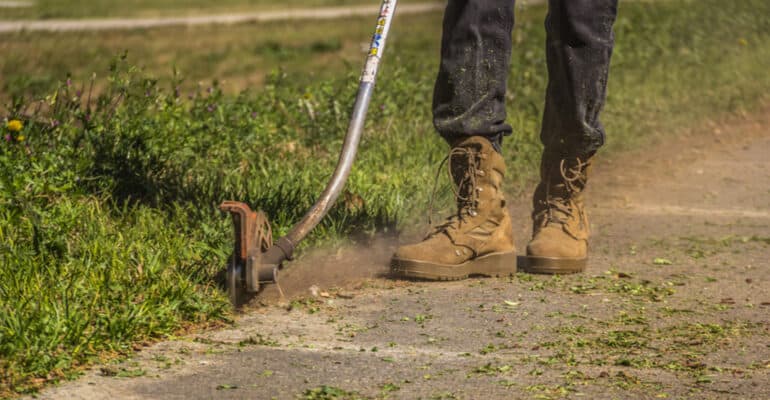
[{"x": 353, "y": 137}]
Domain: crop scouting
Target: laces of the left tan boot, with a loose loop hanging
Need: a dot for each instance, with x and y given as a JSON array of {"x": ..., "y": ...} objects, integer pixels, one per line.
[{"x": 465, "y": 187}]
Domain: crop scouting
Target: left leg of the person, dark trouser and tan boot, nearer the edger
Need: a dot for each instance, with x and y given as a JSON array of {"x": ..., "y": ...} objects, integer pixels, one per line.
[{"x": 469, "y": 112}]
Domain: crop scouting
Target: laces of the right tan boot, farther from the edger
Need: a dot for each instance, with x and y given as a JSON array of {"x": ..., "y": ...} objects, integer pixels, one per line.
[{"x": 559, "y": 205}]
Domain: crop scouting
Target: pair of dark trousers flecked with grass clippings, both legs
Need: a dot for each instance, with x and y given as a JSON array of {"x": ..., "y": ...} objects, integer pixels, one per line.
[{"x": 469, "y": 96}]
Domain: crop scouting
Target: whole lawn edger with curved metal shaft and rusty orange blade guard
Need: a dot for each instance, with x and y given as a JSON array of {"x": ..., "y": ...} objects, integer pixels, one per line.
[{"x": 256, "y": 259}]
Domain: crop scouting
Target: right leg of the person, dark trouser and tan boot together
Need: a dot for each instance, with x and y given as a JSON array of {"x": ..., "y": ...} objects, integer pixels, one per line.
[{"x": 578, "y": 49}]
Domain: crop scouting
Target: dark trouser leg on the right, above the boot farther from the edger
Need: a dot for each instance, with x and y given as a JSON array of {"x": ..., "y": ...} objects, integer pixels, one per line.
[{"x": 578, "y": 49}]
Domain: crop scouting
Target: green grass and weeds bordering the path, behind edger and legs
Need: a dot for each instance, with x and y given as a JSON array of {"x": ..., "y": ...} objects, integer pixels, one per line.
[{"x": 109, "y": 232}]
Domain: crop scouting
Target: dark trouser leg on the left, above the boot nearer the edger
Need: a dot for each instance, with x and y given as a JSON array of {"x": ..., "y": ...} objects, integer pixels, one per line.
[{"x": 469, "y": 96}]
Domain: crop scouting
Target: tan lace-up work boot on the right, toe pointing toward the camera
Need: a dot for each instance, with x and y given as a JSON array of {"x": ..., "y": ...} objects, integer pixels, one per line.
[{"x": 559, "y": 242}]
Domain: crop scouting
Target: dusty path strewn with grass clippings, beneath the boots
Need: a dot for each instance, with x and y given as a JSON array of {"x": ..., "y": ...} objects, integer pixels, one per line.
[{"x": 675, "y": 304}]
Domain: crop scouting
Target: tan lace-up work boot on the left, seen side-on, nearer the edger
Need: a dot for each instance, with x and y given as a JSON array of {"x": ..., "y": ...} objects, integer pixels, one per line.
[{"x": 478, "y": 238}]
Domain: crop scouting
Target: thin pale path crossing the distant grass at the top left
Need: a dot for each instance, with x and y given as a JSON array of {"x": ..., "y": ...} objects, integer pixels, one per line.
[{"x": 99, "y": 24}]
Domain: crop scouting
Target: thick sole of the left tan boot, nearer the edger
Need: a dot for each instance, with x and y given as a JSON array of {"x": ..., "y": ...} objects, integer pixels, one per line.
[{"x": 492, "y": 265}]
